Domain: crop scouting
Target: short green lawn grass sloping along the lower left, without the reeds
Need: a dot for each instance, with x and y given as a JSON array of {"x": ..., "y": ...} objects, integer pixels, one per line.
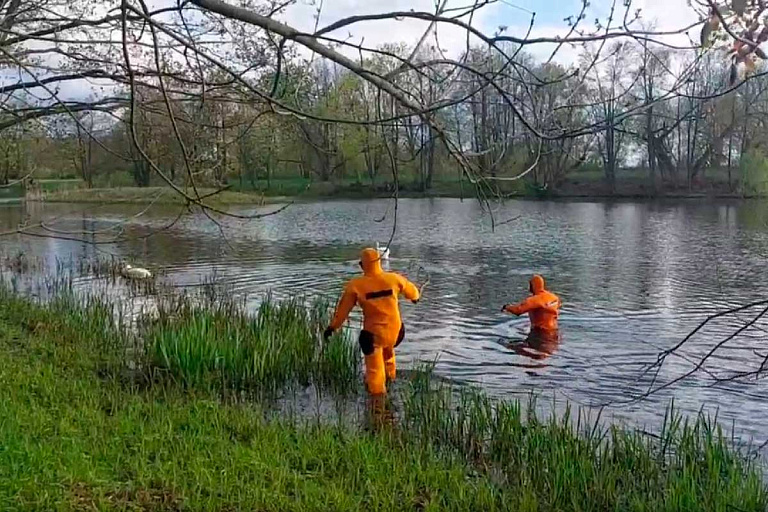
[{"x": 75, "y": 439}]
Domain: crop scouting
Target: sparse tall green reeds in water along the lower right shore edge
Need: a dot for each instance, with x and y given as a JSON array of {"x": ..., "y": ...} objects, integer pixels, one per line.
[{"x": 577, "y": 463}]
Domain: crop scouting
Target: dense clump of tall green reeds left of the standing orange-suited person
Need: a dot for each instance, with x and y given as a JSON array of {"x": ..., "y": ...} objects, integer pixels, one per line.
[{"x": 218, "y": 345}]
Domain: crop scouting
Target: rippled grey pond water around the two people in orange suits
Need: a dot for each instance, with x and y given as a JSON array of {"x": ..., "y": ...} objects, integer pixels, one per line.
[{"x": 634, "y": 279}]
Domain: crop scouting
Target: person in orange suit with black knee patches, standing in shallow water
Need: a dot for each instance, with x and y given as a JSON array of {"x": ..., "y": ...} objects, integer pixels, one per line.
[{"x": 376, "y": 292}]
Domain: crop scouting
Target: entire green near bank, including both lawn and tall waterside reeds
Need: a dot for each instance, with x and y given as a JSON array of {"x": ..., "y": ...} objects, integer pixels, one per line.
[{"x": 95, "y": 417}]
